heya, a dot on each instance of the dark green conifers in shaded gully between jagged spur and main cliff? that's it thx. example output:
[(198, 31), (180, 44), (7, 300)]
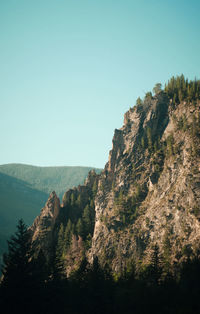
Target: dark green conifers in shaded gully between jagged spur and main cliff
[(79, 218)]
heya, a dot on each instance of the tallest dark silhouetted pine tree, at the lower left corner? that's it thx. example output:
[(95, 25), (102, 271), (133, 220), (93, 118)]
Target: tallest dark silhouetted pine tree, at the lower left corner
[(18, 283)]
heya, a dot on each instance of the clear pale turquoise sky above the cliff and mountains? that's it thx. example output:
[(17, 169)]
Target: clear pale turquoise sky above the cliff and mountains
[(71, 69)]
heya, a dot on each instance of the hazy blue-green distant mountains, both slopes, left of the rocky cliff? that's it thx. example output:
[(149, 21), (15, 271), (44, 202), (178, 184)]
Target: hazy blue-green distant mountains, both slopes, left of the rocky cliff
[(24, 190)]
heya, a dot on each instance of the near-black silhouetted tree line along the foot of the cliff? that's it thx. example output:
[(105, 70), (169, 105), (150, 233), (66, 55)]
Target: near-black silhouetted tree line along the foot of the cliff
[(29, 285)]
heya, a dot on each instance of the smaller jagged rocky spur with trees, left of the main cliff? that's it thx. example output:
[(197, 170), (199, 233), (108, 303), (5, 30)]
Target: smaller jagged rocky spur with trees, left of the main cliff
[(46, 227)]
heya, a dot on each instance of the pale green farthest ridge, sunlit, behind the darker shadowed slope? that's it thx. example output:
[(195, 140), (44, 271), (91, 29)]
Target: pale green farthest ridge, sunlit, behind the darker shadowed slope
[(48, 179)]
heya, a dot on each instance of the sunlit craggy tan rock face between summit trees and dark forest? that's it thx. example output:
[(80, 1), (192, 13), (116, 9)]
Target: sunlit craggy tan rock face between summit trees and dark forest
[(147, 195)]
